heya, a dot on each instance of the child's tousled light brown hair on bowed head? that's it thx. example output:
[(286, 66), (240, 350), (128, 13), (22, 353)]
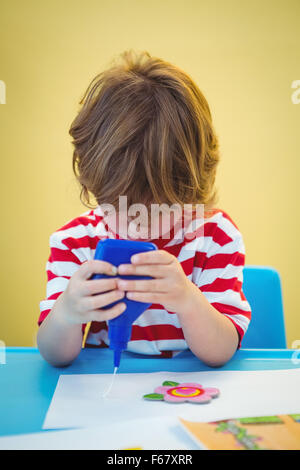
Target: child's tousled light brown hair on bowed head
[(145, 131)]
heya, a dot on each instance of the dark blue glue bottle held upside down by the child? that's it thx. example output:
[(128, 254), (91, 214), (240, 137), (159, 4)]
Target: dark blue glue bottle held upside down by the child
[(119, 252)]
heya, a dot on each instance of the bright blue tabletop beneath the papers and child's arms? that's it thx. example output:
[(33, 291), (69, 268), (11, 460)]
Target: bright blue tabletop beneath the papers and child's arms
[(27, 381)]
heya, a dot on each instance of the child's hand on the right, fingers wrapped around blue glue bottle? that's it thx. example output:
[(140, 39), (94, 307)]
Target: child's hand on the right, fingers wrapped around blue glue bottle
[(169, 287)]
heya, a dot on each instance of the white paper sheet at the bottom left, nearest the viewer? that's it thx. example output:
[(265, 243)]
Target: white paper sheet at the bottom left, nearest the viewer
[(131, 434)]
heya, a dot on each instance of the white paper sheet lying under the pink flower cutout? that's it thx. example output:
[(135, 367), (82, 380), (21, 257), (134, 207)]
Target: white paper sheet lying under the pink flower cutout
[(78, 402)]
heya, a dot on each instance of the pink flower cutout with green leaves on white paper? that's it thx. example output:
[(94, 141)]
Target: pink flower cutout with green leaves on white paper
[(174, 392)]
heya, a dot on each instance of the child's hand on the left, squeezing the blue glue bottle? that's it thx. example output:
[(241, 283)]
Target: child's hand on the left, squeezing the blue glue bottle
[(81, 305)]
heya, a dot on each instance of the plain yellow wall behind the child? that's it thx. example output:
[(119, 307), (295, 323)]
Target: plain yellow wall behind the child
[(243, 55)]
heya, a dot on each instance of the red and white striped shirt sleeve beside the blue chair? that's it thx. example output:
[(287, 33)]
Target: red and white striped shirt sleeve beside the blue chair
[(218, 272)]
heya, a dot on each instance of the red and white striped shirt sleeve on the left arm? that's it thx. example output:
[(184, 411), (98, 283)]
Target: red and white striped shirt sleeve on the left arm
[(60, 266)]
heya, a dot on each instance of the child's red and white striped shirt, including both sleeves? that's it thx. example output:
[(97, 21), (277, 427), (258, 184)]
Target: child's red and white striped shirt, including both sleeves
[(213, 261)]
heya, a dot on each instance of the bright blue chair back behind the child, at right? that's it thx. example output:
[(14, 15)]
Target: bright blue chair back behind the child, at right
[(262, 288)]
